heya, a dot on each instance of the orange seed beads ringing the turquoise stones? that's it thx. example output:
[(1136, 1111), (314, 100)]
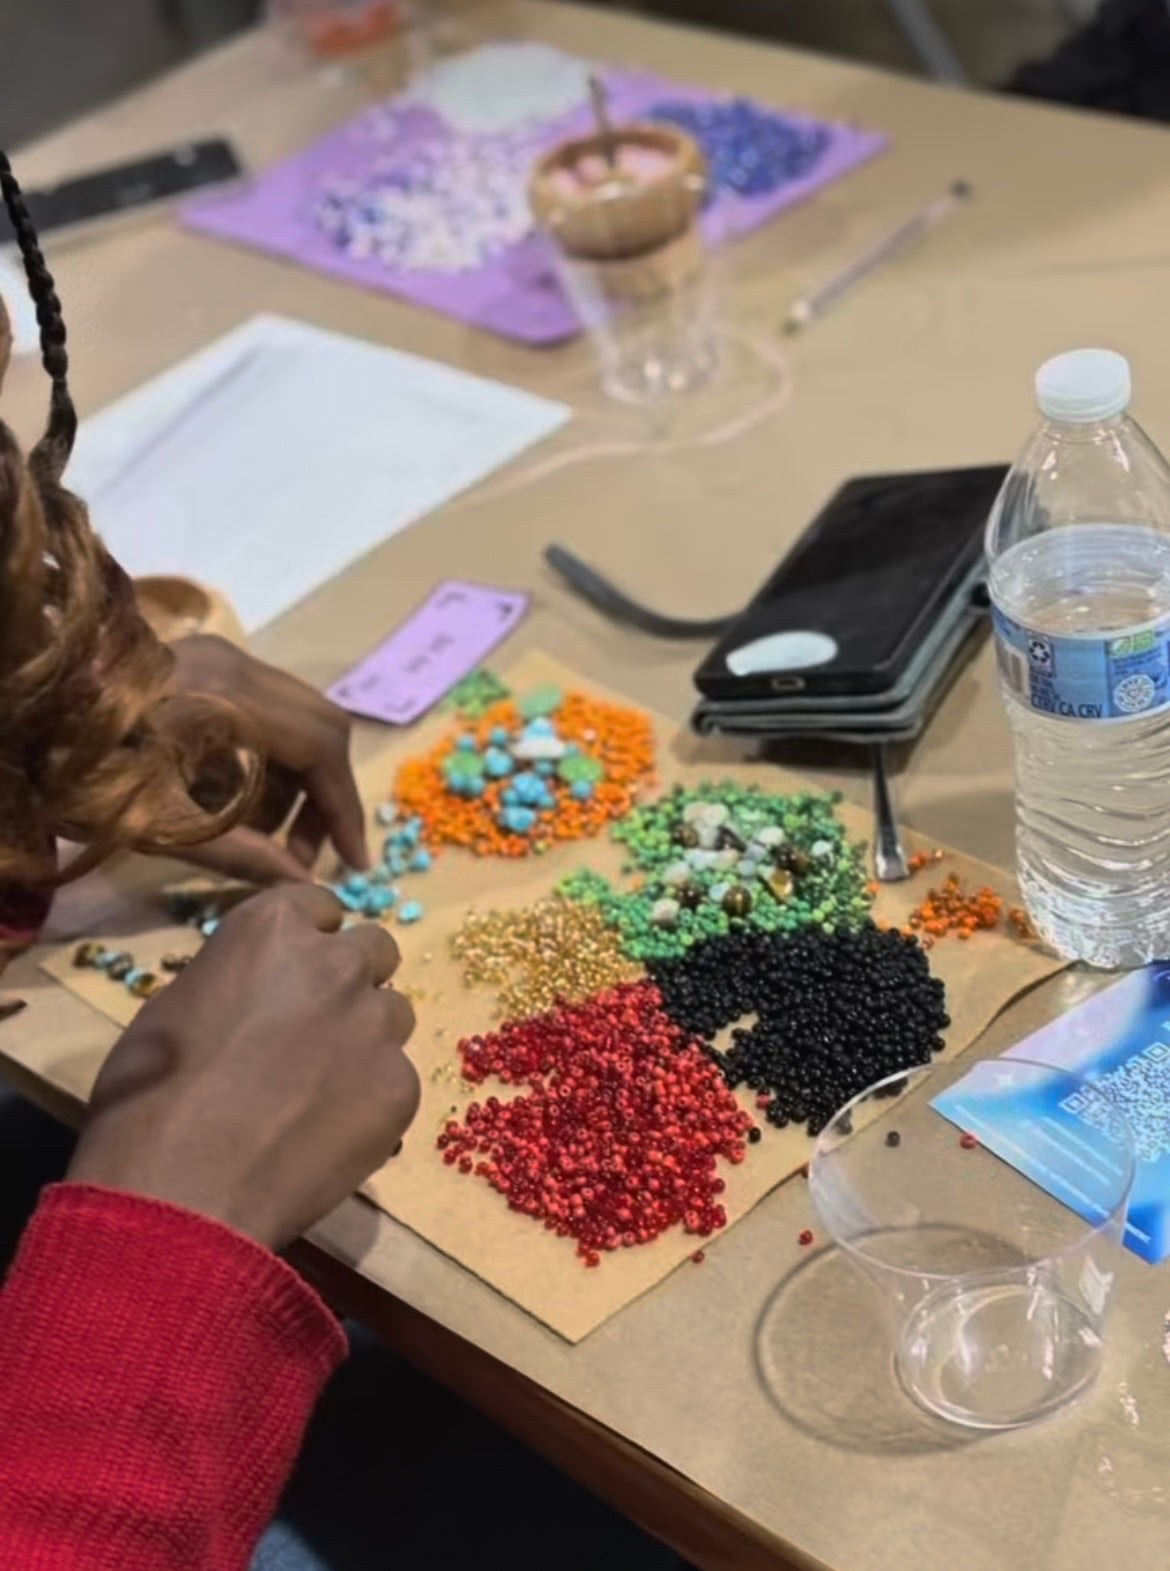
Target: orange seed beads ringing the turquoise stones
[(621, 739)]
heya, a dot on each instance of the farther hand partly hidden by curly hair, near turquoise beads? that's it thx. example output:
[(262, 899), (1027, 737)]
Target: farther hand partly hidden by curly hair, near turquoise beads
[(305, 742)]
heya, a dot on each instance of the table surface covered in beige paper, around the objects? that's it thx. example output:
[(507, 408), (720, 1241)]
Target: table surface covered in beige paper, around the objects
[(931, 364)]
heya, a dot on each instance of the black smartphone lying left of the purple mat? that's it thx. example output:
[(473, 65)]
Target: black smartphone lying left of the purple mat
[(130, 188)]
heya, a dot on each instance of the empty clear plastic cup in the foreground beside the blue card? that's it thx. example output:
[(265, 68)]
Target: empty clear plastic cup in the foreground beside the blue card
[(995, 1292)]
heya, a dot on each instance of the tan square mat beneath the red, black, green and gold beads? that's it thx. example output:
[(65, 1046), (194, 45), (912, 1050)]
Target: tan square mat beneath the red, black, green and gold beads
[(463, 1215)]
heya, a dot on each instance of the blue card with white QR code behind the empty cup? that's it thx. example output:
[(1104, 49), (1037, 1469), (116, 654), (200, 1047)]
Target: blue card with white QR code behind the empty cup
[(1119, 1042)]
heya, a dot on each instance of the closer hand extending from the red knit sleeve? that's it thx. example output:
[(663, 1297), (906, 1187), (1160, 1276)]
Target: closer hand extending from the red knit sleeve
[(268, 1082)]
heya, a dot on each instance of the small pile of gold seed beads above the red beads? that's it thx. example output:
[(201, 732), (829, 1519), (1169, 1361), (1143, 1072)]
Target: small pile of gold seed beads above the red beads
[(555, 951)]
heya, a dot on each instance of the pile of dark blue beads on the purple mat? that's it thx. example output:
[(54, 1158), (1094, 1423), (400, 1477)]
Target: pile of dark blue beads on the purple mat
[(750, 152)]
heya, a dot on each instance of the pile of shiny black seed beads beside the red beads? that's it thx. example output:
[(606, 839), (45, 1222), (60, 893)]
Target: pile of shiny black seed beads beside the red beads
[(816, 1017)]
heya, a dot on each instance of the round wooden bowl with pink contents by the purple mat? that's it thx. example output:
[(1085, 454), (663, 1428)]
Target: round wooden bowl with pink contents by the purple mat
[(598, 213)]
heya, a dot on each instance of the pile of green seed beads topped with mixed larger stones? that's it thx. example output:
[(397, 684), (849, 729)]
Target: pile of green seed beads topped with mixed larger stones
[(813, 876)]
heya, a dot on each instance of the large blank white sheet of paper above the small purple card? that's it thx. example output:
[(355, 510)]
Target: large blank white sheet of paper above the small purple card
[(282, 453)]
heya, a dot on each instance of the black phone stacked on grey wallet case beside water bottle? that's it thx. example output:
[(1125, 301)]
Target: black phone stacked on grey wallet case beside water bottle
[(861, 629)]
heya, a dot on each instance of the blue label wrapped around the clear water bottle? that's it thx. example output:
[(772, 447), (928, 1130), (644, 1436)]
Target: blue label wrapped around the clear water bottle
[(1086, 678)]
